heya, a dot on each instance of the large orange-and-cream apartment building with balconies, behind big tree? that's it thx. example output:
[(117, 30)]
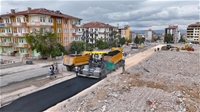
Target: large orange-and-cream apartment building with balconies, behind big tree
[(15, 25)]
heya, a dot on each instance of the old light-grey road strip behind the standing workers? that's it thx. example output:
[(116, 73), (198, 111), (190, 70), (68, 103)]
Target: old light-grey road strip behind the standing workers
[(21, 76)]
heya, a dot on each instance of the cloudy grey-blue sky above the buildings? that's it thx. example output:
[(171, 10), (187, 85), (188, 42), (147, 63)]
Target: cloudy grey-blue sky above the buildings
[(138, 14)]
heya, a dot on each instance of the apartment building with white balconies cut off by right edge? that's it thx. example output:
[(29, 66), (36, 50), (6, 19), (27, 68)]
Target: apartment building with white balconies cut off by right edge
[(193, 32)]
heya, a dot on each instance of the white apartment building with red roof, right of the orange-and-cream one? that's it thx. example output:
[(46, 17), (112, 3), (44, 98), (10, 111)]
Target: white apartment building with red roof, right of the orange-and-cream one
[(98, 30)]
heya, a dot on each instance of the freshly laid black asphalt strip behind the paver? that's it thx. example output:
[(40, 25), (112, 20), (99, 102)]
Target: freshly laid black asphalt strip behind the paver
[(46, 98)]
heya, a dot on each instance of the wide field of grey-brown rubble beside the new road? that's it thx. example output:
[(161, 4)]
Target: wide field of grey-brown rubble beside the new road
[(165, 81)]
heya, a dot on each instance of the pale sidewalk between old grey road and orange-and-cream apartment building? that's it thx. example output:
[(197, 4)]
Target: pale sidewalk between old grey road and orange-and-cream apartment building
[(36, 64)]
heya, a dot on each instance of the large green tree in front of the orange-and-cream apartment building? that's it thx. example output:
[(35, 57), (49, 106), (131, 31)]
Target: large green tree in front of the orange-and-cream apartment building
[(44, 42)]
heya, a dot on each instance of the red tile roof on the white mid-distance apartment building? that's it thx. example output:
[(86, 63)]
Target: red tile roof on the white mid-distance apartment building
[(97, 25)]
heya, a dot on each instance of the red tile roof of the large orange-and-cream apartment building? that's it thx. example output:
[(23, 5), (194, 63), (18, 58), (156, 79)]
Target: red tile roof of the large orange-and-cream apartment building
[(41, 11)]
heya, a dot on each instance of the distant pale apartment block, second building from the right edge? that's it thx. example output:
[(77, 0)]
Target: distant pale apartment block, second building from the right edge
[(173, 30)]
